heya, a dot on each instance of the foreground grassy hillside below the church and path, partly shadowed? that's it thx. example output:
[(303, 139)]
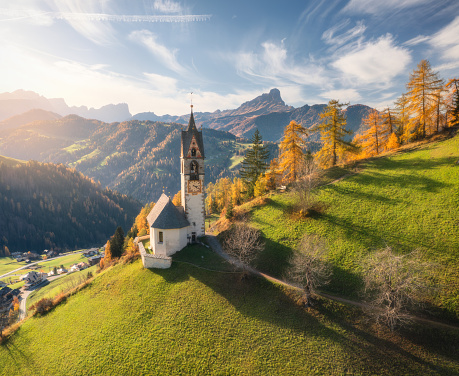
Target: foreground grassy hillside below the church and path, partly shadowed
[(187, 320)]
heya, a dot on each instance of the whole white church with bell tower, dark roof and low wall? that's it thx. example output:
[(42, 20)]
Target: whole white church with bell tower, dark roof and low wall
[(172, 227)]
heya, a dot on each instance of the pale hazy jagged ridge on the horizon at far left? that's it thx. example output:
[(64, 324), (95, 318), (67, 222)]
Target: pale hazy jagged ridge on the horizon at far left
[(21, 101)]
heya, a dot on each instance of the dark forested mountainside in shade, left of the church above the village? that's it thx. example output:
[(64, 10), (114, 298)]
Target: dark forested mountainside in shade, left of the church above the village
[(48, 206)]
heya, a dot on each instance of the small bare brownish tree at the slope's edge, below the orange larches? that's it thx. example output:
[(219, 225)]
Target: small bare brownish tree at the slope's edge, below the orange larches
[(309, 178)]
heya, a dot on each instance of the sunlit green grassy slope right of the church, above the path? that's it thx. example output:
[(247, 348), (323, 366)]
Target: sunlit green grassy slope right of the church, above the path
[(407, 200)]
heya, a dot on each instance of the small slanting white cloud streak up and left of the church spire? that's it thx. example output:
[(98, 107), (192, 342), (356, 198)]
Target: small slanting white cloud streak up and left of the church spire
[(162, 53)]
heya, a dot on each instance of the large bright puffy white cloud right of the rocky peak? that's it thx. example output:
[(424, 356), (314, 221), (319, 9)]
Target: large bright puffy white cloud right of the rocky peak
[(374, 62)]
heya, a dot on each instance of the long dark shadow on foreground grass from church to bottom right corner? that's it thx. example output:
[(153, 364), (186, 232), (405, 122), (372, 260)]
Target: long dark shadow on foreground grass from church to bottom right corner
[(259, 300)]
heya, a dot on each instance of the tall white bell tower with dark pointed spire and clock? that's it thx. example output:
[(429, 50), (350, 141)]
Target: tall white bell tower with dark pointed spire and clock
[(192, 178)]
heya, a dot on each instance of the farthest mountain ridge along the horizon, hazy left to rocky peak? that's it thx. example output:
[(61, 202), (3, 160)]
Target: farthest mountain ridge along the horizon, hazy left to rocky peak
[(268, 113)]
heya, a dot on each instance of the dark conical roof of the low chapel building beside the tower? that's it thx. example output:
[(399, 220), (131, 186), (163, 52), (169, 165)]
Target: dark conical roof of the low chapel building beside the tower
[(165, 215)]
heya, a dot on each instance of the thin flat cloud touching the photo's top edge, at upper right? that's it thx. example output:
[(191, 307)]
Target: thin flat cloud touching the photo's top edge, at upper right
[(380, 6)]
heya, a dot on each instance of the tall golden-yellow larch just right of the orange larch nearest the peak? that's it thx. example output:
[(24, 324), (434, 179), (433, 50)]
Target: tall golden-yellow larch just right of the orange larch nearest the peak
[(332, 133)]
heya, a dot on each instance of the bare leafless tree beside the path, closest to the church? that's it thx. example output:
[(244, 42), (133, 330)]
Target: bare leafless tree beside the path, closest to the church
[(243, 243)]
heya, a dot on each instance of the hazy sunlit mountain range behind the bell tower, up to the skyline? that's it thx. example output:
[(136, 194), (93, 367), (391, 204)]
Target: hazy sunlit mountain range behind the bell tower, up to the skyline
[(140, 156)]
